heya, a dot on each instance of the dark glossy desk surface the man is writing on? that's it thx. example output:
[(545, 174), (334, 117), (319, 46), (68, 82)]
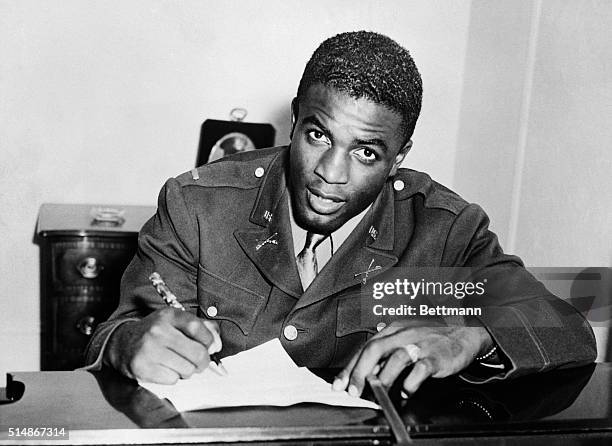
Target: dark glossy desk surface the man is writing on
[(104, 408)]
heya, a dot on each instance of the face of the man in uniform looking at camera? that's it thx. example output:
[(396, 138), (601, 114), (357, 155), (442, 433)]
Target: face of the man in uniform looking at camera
[(342, 152)]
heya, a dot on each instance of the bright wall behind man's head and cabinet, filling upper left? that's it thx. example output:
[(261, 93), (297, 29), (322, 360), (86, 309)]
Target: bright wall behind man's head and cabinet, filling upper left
[(101, 102)]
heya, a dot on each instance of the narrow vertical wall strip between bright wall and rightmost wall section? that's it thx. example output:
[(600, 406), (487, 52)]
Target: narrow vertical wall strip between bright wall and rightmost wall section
[(496, 71)]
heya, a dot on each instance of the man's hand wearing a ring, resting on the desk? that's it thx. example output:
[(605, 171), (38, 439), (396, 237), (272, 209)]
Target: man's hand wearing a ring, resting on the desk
[(440, 352)]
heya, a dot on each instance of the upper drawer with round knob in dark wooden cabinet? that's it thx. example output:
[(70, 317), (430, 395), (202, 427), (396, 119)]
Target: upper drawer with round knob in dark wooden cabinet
[(90, 263)]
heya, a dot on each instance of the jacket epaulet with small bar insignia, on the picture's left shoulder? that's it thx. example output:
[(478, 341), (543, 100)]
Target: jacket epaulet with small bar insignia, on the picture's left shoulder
[(243, 171)]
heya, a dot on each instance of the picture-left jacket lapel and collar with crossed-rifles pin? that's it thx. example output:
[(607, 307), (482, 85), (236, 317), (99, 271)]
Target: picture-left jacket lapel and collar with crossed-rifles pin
[(270, 245)]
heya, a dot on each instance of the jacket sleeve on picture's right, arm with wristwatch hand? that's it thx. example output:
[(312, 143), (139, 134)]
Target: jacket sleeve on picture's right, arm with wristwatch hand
[(534, 329)]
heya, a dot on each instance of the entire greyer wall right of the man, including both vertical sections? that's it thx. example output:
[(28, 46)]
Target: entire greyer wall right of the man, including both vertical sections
[(534, 138)]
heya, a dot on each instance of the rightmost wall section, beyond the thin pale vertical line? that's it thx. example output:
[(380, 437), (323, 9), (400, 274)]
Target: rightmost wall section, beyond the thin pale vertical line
[(564, 217)]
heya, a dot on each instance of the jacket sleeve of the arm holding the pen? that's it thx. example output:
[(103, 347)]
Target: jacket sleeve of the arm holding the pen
[(167, 244)]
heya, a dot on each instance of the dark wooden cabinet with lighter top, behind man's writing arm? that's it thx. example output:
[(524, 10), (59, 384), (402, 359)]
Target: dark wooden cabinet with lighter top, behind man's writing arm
[(84, 251)]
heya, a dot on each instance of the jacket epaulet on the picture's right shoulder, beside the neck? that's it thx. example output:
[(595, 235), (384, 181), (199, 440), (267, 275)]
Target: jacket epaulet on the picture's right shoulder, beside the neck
[(408, 182)]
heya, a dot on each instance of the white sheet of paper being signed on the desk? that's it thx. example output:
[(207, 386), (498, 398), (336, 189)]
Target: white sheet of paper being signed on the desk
[(262, 376)]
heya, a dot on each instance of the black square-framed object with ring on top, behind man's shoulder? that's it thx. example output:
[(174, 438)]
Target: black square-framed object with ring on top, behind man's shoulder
[(222, 138)]
